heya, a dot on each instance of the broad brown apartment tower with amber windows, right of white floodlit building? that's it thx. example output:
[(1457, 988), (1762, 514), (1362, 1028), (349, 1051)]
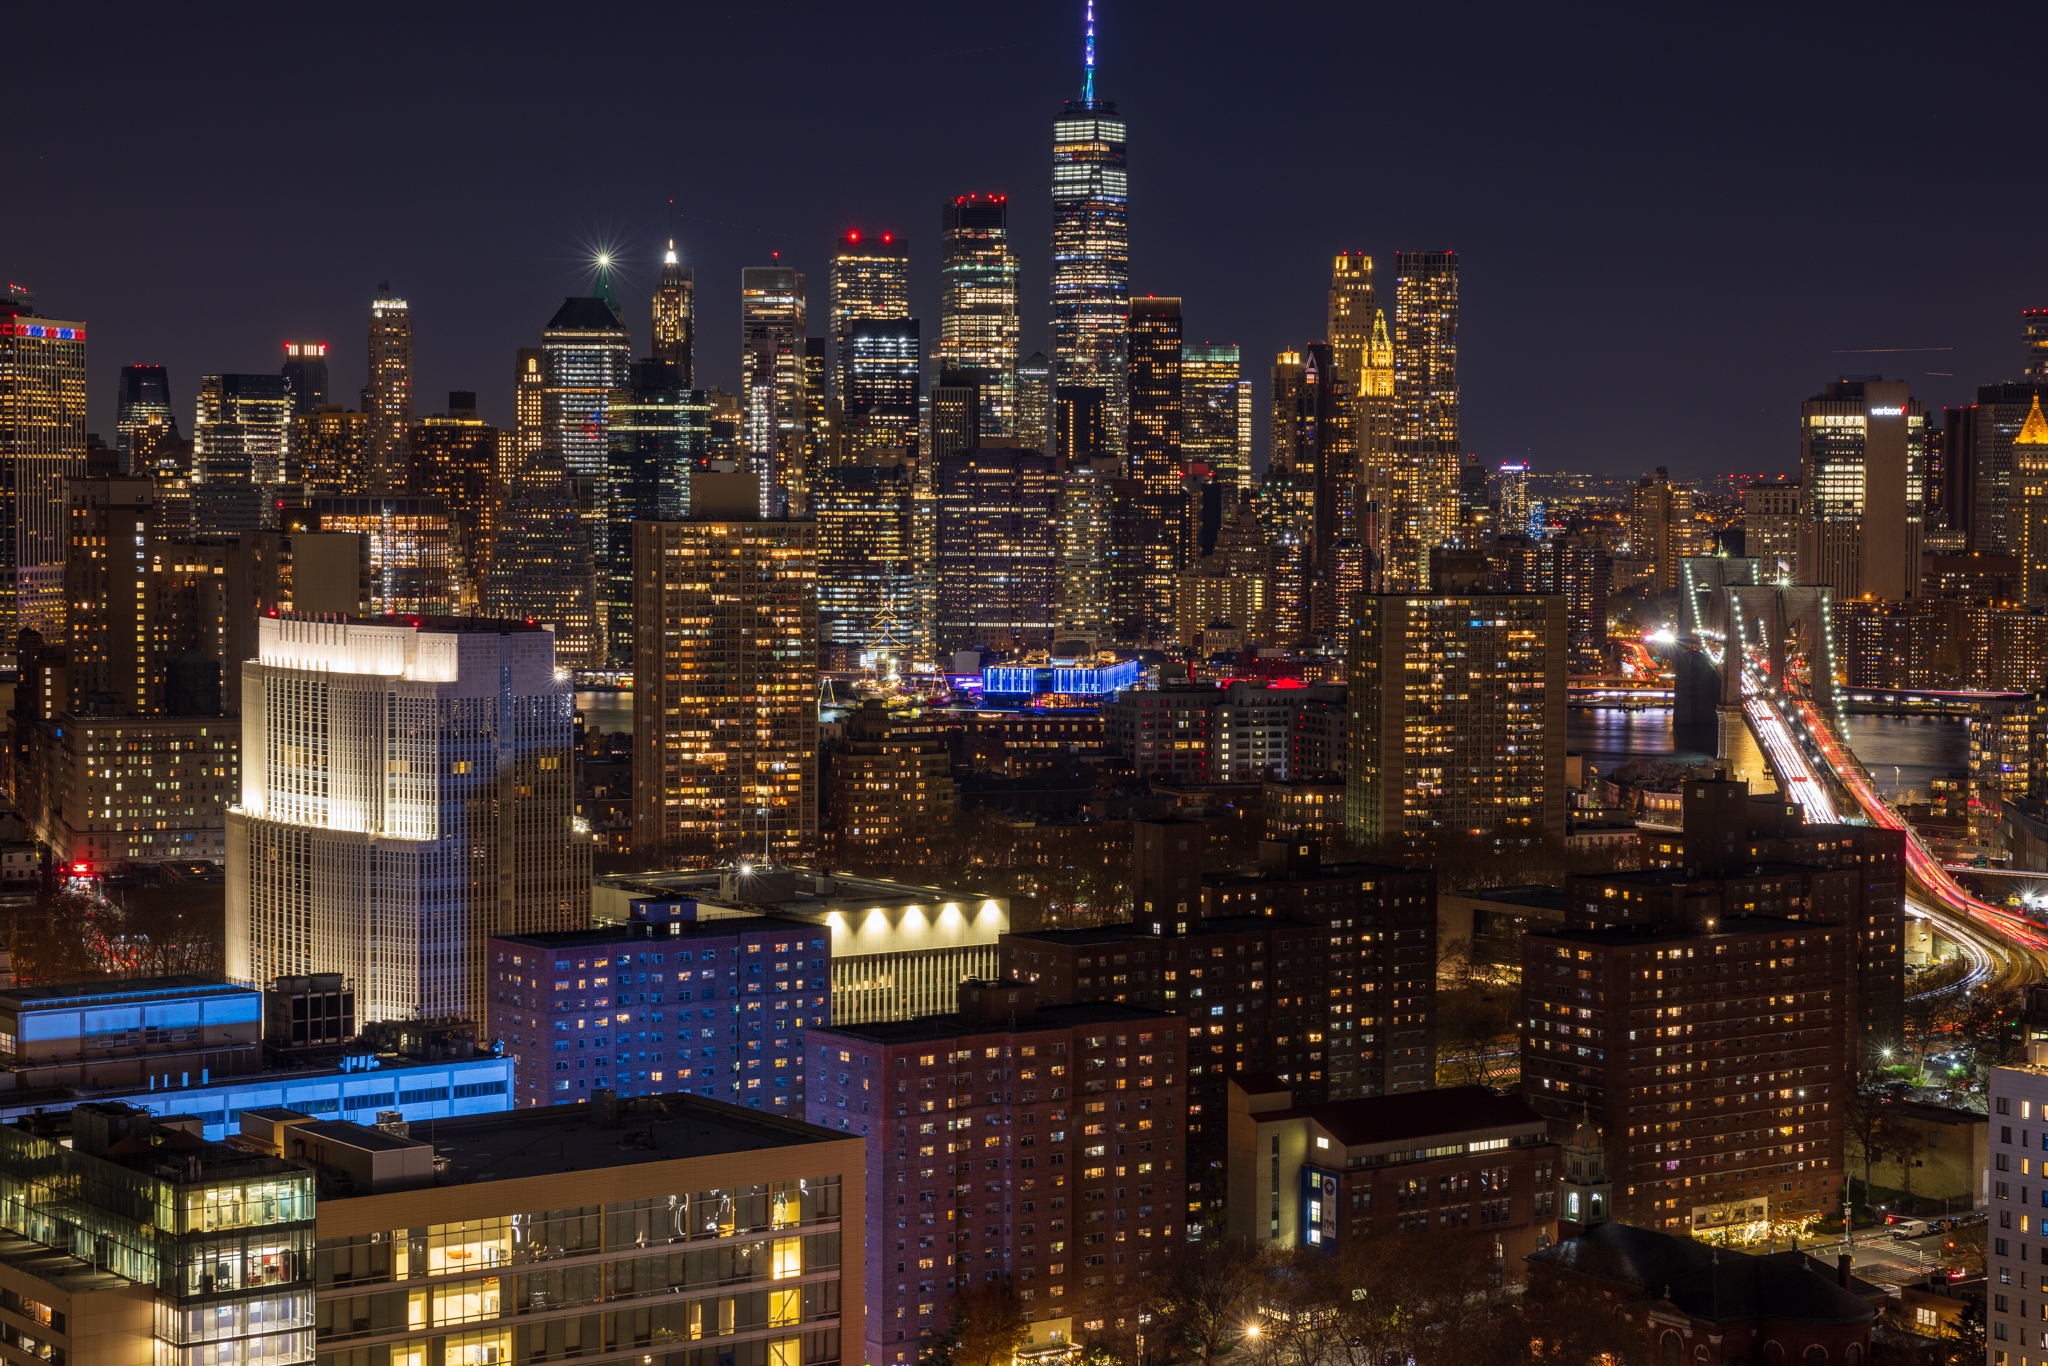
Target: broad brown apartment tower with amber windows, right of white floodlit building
[(726, 712)]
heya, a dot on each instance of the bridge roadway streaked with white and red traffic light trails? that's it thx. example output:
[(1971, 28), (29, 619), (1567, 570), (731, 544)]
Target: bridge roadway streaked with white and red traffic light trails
[(1793, 734)]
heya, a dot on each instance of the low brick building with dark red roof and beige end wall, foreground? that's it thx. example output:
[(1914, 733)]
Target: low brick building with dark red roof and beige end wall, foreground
[(1431, 1162)]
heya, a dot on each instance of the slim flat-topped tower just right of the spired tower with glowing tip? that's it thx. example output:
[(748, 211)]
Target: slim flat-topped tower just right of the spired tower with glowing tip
[(773, 331)]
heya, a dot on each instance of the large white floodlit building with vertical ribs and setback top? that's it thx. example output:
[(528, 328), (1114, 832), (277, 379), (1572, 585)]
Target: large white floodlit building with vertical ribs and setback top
[(407, 794)]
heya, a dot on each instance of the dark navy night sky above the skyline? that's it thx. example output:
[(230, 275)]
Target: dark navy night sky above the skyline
[(1674, 222)]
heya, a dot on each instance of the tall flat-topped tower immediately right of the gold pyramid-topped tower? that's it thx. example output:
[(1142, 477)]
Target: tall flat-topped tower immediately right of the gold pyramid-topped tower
[(1426, 390)]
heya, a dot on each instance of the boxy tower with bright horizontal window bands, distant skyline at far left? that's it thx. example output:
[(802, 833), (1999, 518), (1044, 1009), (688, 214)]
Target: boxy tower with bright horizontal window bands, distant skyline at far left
[(241, 452)]
